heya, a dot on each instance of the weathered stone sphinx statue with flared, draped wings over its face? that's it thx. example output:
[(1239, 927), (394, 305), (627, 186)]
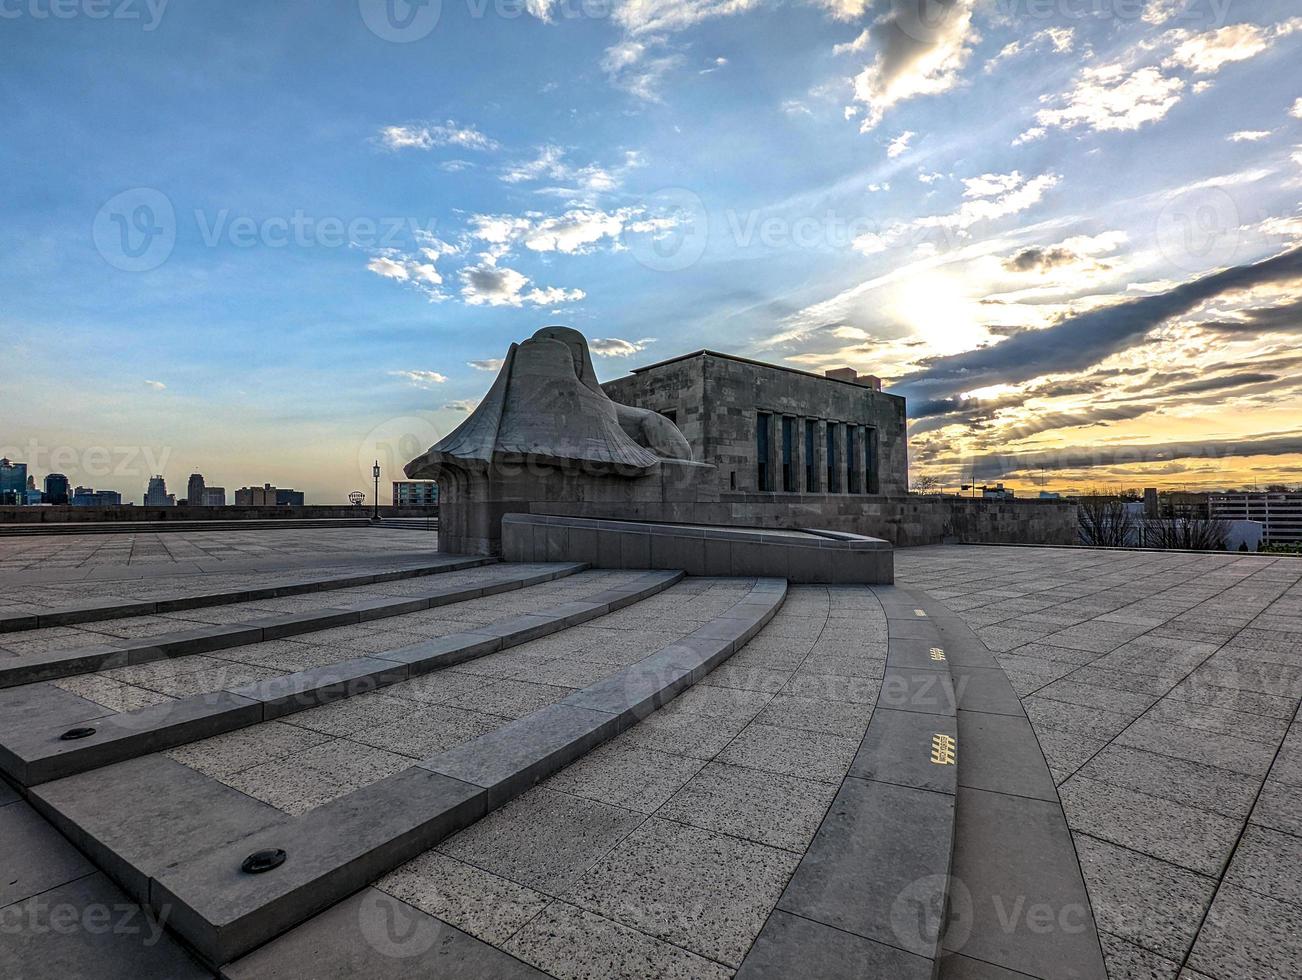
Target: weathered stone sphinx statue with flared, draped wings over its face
[(547, 434)]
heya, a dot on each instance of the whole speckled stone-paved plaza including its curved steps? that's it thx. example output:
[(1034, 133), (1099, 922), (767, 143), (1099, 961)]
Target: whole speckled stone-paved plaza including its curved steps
[(497, 770)]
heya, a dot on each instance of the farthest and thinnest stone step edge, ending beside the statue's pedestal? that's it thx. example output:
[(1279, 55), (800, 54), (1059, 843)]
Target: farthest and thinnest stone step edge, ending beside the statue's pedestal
[(93, 611)]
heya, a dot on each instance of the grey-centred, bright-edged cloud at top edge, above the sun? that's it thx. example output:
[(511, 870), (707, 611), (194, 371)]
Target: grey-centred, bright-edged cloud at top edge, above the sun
[(920, 49)]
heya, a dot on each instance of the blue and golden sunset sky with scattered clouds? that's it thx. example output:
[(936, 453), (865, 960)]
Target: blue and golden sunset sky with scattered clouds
[(274, 243)]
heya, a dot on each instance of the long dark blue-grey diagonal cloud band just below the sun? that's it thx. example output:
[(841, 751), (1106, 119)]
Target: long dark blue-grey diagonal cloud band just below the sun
[(1089, 338)]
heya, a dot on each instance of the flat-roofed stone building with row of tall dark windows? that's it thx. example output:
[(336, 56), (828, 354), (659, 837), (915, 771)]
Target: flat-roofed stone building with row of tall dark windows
[(779, 430)]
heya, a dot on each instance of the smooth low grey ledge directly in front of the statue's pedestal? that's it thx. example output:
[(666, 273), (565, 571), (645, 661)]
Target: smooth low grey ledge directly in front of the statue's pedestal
[(796, 556)]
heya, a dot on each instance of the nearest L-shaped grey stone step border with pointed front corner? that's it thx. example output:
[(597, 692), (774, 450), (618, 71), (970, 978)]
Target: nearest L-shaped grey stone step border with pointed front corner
[(342, 847)]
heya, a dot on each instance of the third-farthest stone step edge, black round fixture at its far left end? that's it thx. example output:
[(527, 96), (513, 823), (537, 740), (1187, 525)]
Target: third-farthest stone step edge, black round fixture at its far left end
[(36, 754)]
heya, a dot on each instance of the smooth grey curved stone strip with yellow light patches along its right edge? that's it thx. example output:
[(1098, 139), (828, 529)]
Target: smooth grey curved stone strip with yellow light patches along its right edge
[(869, 897)]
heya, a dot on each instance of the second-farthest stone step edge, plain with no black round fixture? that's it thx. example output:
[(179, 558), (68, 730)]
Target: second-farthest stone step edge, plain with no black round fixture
[(48, 667)]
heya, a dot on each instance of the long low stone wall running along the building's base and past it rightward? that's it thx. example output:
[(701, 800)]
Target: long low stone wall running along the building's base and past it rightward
[(911, 520)]
